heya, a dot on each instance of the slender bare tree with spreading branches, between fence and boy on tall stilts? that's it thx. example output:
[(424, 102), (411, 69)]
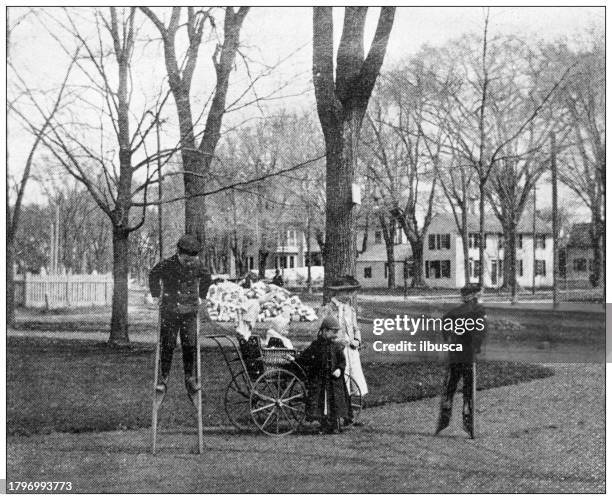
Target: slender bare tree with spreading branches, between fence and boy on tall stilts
[(109, 170)]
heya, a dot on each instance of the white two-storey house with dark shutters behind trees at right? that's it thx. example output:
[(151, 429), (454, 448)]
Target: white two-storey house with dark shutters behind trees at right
[(443, 255)]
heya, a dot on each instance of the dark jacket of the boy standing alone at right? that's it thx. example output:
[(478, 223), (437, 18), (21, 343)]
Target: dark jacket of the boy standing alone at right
[(471, 341)]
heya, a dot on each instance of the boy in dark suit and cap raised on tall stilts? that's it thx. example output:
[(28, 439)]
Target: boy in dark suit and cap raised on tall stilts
[(180, 275)]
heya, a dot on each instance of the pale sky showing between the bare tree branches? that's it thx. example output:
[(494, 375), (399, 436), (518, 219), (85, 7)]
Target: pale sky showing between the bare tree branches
[(281, 37)]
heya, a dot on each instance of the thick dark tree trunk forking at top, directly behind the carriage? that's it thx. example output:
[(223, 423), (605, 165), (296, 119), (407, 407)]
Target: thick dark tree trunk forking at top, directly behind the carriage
[(341, 105)]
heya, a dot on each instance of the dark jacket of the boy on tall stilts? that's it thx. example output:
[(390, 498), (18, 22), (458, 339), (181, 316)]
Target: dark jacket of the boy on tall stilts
[(181, 291)]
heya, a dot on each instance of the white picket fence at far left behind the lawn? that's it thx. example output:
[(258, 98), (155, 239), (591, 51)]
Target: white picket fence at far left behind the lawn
[(70, 290)]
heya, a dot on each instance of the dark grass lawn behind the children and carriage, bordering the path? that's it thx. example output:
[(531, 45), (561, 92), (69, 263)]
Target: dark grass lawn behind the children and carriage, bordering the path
[(81, 386)]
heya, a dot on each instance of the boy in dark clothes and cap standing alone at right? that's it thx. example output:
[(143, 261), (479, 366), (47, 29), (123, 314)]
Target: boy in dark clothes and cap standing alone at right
[(461, 364)]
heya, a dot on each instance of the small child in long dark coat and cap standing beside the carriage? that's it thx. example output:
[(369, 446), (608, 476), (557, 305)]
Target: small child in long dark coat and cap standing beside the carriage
[(324, 364)]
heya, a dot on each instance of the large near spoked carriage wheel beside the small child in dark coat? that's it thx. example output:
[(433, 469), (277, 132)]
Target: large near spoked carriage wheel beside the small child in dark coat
[(278, 402)]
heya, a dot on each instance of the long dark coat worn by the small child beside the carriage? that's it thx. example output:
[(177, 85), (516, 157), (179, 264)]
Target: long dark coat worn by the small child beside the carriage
[(327, 396)]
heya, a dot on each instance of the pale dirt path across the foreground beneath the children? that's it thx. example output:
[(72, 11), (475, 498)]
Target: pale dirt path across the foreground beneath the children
[(543, 436)]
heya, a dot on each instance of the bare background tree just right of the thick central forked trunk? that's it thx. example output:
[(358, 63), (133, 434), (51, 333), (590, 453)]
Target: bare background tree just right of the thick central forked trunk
[(406, 158)]
